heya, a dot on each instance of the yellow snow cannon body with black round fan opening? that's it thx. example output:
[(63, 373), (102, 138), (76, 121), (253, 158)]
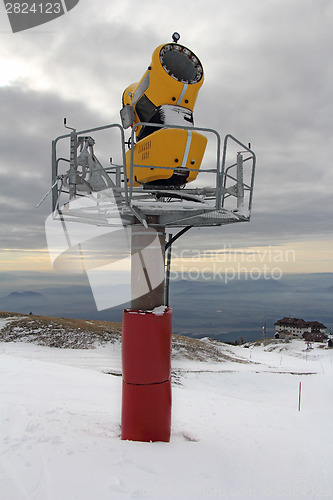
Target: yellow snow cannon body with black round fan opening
[(165, 95)]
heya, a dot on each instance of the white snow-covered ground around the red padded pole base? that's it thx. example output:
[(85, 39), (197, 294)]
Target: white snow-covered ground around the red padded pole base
[(236, 429)]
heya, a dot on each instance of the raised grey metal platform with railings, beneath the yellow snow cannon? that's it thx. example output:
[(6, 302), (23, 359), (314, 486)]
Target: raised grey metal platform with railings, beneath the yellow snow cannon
[(85, 190)]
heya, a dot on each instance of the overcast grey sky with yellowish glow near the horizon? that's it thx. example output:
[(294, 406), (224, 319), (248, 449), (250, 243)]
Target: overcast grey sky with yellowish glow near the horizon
[(268, 81)]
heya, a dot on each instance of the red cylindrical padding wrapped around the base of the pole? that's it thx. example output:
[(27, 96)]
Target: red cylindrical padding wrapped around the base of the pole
[(146, 398)]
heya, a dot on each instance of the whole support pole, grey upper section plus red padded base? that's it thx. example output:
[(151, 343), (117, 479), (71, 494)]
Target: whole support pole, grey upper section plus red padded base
[(146, 343)]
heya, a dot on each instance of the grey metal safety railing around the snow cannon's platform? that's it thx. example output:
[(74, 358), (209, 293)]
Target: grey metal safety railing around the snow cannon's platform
[(124, 186)]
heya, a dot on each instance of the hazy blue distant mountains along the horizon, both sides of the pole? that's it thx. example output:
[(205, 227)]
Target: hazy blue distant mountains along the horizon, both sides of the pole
[(226, 311)]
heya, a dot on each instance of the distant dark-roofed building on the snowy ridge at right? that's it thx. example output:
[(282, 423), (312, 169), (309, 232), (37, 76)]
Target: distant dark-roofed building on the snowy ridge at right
[(296, 328)]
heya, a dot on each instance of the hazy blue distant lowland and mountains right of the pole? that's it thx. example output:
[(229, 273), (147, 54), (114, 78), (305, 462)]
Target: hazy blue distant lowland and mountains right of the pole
[(241, 307)]
